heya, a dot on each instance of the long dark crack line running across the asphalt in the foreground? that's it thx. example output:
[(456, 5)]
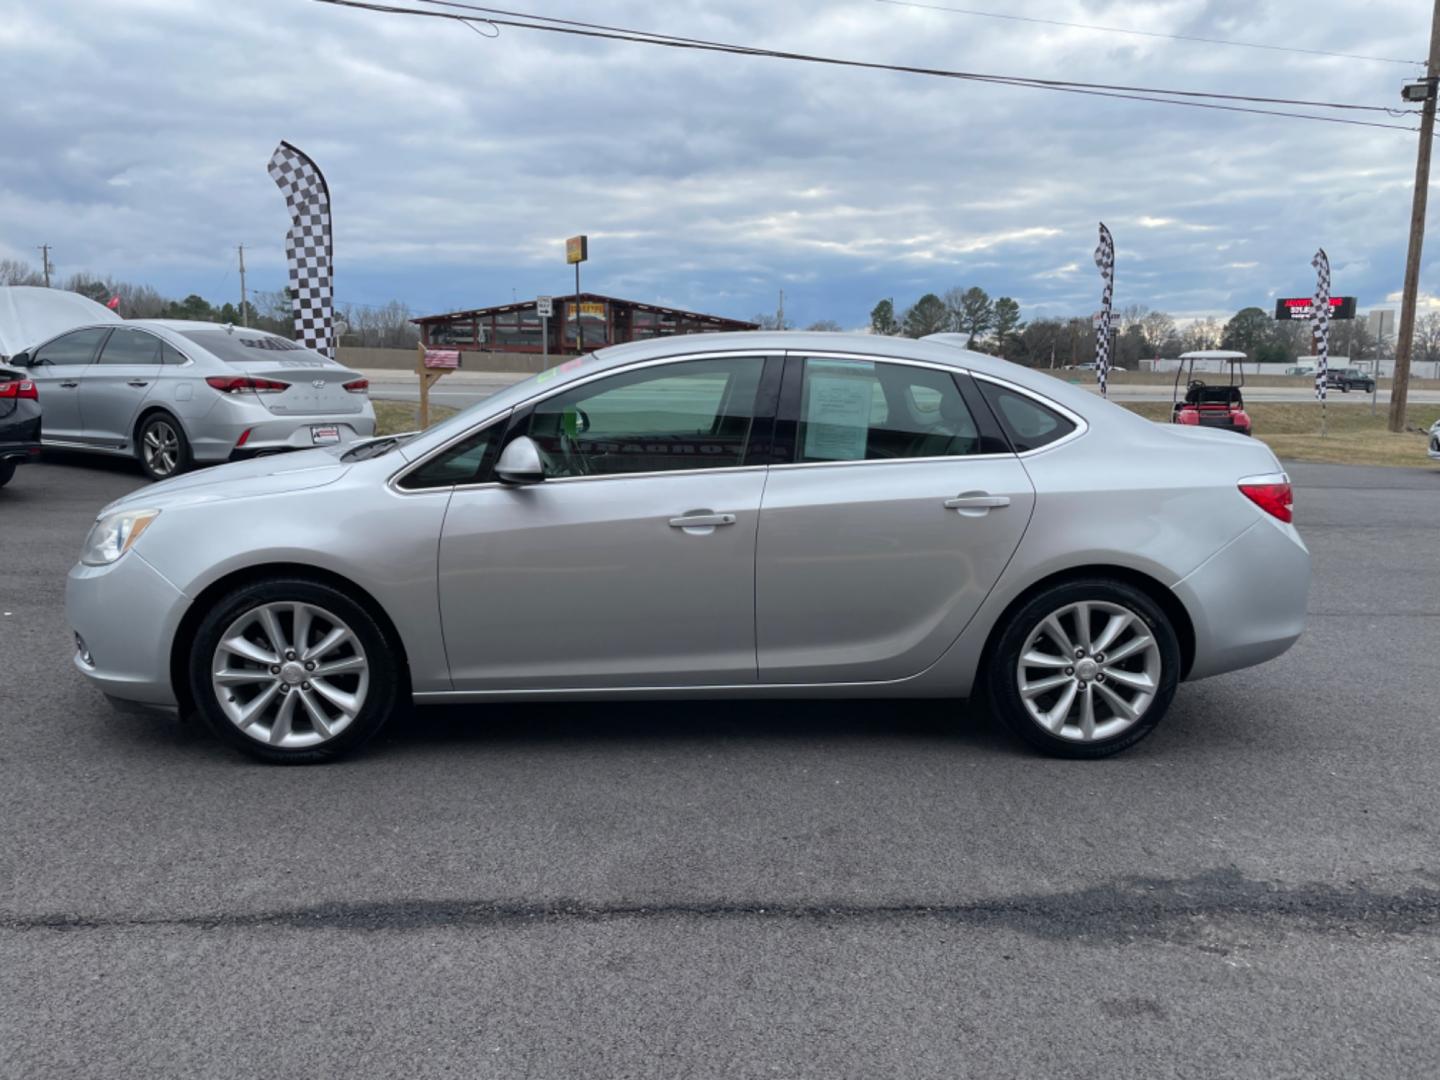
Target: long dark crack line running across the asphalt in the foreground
[(1131, 909)]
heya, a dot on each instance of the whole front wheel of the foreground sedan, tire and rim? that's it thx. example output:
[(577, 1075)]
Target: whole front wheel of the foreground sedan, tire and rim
[(294, 672)]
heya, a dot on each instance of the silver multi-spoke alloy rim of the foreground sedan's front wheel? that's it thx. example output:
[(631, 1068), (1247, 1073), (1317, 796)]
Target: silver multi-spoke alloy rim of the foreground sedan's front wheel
[(290, 675)]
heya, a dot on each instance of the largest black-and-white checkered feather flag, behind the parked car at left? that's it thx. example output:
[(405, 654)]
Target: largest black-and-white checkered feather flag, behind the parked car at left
[(307, 247)]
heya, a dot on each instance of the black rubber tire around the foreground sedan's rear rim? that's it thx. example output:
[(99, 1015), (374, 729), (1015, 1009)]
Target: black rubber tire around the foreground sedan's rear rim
[(1003, 675)]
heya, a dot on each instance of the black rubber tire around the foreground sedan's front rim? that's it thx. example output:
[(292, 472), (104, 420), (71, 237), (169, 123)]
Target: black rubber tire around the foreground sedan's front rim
[(387, 692)]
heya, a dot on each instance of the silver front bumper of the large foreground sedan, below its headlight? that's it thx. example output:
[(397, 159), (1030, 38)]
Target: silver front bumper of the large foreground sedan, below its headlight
[(127, 616)]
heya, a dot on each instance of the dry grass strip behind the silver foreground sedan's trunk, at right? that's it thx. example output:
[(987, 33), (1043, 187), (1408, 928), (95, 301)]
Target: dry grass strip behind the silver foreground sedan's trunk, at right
[(1292, 430)]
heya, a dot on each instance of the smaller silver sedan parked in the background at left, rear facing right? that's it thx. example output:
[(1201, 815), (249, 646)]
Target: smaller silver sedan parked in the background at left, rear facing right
[(175, 394)]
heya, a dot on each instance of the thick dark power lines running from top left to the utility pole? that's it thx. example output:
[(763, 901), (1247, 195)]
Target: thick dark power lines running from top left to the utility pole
[(572, 28)]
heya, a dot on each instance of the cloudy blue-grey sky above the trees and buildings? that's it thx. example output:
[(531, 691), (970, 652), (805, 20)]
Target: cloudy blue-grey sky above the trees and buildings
[(139, 133)]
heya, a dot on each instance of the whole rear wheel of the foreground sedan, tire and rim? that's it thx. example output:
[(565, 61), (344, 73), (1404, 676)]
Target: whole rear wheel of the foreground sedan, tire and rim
[(1085, 669)]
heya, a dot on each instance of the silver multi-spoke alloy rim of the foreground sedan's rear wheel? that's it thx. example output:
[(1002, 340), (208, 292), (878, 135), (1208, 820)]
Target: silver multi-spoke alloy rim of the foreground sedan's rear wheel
[(1089, 672)]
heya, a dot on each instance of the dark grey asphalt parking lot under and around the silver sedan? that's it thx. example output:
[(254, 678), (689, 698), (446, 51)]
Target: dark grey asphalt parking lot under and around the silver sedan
[(800, 891)]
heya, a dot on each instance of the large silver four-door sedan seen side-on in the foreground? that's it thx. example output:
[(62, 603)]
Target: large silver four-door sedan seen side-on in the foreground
[(724, 516)]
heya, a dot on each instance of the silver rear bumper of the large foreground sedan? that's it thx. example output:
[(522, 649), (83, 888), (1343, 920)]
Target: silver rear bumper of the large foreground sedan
[(1248, 601)]
